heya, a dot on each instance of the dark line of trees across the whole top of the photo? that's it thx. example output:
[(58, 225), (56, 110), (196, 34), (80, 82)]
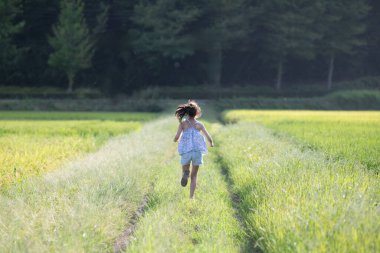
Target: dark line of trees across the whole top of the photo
[(121, 45)]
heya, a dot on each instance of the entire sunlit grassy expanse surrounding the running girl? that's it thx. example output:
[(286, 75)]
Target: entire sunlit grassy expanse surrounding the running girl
[(262, 188)]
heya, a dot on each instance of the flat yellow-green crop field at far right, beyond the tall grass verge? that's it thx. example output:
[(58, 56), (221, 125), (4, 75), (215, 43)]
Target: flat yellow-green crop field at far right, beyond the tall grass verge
[(350, 135)]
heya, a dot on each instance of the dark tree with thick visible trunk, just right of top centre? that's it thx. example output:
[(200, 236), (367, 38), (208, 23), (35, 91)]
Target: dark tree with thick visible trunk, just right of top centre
[(222, 25)]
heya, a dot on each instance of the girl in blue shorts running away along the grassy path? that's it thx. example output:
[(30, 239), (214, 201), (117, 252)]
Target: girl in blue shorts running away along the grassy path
[(192, 145)]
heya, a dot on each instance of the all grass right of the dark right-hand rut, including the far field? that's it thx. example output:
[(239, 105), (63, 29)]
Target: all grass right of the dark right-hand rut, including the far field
[(296, 199)]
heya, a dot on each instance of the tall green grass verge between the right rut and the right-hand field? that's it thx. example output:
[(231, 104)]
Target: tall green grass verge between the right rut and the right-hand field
[(297, 200)]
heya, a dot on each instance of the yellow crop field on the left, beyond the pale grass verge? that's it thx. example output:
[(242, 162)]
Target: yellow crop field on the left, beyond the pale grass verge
[(34, 143)]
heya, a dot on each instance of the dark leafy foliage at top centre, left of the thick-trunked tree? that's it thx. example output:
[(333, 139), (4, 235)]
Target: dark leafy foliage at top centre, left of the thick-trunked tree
[(163, 28)]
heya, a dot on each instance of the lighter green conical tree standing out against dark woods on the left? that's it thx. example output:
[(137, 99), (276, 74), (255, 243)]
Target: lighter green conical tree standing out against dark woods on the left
[(72, 42)]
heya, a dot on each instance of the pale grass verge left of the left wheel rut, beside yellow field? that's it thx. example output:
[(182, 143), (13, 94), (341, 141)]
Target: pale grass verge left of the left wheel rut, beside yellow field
[(86, 205)]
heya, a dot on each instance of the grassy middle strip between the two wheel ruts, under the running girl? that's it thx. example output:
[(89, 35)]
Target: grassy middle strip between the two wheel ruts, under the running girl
[(174, 223)]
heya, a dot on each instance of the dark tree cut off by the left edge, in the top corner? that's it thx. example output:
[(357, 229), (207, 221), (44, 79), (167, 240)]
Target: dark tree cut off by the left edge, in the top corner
[(9, 27)]
